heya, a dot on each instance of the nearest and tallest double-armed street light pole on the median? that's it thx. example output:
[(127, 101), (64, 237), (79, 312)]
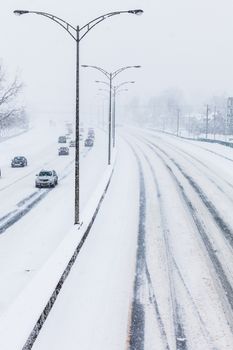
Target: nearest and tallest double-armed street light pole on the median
[(77, 33)]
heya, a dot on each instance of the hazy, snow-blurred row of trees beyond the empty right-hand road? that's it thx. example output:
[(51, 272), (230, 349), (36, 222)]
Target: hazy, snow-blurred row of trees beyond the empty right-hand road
[(170, 112)]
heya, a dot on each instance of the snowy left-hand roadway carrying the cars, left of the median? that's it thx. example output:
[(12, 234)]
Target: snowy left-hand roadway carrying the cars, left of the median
[(27, 242)]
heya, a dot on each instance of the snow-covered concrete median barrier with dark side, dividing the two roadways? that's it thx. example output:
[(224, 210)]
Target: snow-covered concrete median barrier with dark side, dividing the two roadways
[(21, 324)]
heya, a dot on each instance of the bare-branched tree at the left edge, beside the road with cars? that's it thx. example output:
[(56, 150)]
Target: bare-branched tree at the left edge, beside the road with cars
[(12, 114)]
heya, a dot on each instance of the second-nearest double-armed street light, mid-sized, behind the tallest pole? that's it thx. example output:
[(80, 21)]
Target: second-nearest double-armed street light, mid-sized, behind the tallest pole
[(110, 77)]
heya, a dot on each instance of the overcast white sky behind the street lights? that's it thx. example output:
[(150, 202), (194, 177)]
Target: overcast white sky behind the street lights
[(186, 44)]
